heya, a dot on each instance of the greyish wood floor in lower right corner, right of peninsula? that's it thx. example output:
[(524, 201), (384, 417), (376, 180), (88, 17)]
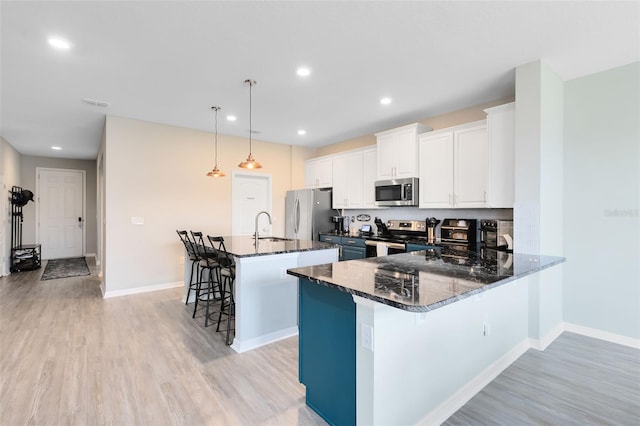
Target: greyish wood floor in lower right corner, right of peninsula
[(577, 380)]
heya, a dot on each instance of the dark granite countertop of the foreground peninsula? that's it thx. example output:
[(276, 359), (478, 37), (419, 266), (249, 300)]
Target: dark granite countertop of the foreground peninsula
[(425, 280)]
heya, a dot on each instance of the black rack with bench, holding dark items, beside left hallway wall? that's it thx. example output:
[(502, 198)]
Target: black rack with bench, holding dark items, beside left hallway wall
[(23, 257)]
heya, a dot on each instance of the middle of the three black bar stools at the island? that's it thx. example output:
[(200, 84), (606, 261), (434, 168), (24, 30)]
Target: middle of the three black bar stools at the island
[(208, 290)]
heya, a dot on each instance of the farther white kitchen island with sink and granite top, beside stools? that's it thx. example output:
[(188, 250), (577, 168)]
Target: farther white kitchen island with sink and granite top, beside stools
[(266, 297)]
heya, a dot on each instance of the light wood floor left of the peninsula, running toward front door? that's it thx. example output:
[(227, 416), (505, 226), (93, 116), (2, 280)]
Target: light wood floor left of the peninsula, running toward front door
[(69, 357)]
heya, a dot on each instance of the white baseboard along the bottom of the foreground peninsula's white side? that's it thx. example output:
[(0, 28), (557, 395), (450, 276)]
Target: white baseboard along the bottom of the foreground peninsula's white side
[(442, 412)]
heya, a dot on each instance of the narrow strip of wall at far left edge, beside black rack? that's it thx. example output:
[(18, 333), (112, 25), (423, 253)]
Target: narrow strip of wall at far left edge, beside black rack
[(10, 174)]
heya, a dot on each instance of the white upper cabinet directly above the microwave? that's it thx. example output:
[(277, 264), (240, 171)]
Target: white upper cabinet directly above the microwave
[(397, 152)]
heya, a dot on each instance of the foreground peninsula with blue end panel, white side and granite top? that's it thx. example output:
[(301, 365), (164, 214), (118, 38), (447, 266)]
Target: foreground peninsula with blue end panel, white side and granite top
[(403, 339)]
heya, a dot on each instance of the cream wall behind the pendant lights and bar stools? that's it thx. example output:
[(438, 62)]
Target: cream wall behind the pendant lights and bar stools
[(158, 172)]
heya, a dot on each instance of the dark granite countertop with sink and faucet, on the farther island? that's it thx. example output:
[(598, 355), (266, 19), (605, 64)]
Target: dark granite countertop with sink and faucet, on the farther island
[(244, 246)]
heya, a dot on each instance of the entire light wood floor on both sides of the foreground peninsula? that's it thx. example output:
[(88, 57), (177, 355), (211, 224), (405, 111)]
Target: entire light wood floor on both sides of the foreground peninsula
[(69, 357)]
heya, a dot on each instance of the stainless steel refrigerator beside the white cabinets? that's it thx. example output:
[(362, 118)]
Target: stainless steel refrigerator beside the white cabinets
[(307, 212)]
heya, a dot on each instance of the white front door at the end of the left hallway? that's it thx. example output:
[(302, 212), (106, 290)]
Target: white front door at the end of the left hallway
[(61, 213)]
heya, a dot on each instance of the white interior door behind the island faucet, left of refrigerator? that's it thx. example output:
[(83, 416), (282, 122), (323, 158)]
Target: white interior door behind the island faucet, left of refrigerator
[(251, 195)]
